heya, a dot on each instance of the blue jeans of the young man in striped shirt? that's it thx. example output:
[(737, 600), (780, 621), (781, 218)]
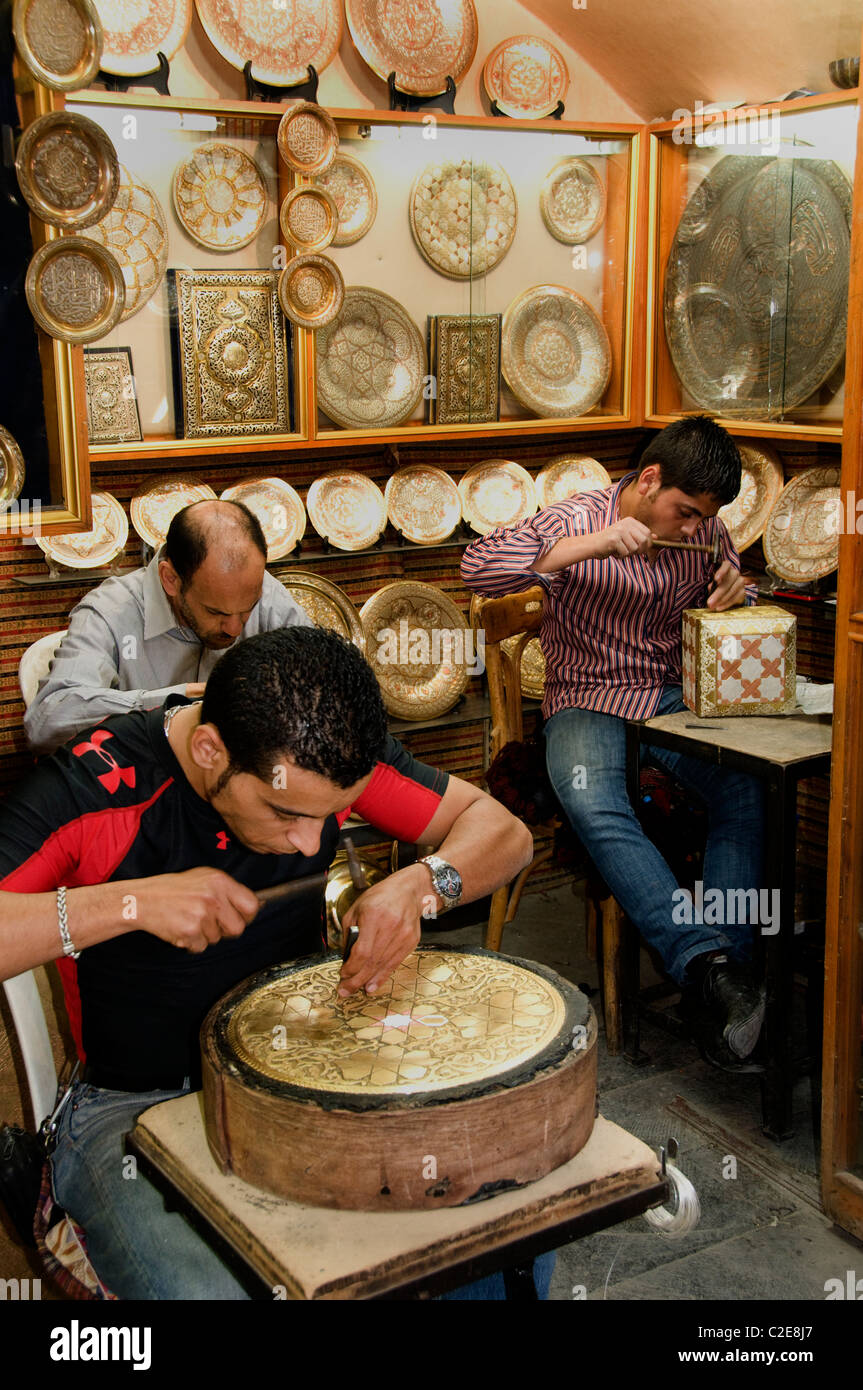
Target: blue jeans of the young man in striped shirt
[(586, 755)]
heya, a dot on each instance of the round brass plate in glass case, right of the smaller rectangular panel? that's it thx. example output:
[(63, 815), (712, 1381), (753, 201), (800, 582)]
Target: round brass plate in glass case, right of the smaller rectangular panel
[(555, 352)]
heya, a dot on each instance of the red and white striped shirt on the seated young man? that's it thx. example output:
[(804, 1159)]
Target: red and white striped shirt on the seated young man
[(611, 629)]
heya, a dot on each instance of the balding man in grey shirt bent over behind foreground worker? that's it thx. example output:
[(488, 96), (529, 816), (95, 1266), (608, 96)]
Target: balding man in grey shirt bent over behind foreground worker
[(161, 630)]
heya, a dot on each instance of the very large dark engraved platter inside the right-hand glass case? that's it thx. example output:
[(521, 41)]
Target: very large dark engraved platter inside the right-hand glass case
[(757, 284)]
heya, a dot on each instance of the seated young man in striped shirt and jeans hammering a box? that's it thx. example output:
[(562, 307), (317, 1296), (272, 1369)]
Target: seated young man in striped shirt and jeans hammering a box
[(612, 643)]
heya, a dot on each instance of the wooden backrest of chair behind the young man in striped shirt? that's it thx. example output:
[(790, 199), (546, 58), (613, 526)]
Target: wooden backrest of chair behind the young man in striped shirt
[(519, 616)]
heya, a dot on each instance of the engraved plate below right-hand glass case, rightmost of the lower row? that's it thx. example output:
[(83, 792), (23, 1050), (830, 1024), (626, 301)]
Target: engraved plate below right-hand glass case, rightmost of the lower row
[(803, 534)]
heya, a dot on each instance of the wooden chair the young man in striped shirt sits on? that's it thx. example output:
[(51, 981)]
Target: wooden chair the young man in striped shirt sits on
[(520, 616)]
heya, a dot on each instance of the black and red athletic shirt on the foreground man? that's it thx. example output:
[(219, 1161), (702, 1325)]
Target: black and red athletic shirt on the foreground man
[(115, 804)]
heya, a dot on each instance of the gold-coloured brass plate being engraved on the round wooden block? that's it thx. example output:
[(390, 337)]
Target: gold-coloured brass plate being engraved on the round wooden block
[(444, 1020)]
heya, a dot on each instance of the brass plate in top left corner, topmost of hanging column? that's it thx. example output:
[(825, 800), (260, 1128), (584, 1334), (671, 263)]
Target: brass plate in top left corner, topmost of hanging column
[(60, 41)]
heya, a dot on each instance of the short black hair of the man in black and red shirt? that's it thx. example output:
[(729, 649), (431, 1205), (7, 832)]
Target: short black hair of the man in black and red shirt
[(298, 693)]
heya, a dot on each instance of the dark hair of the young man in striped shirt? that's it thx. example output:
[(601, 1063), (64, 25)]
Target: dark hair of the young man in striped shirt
[(697, 457)]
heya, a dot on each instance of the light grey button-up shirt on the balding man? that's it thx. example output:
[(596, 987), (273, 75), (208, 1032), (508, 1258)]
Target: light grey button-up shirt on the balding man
[(124, 650)]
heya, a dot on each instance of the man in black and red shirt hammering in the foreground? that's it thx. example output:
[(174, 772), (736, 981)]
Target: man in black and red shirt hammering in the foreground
[(142, 844)]
